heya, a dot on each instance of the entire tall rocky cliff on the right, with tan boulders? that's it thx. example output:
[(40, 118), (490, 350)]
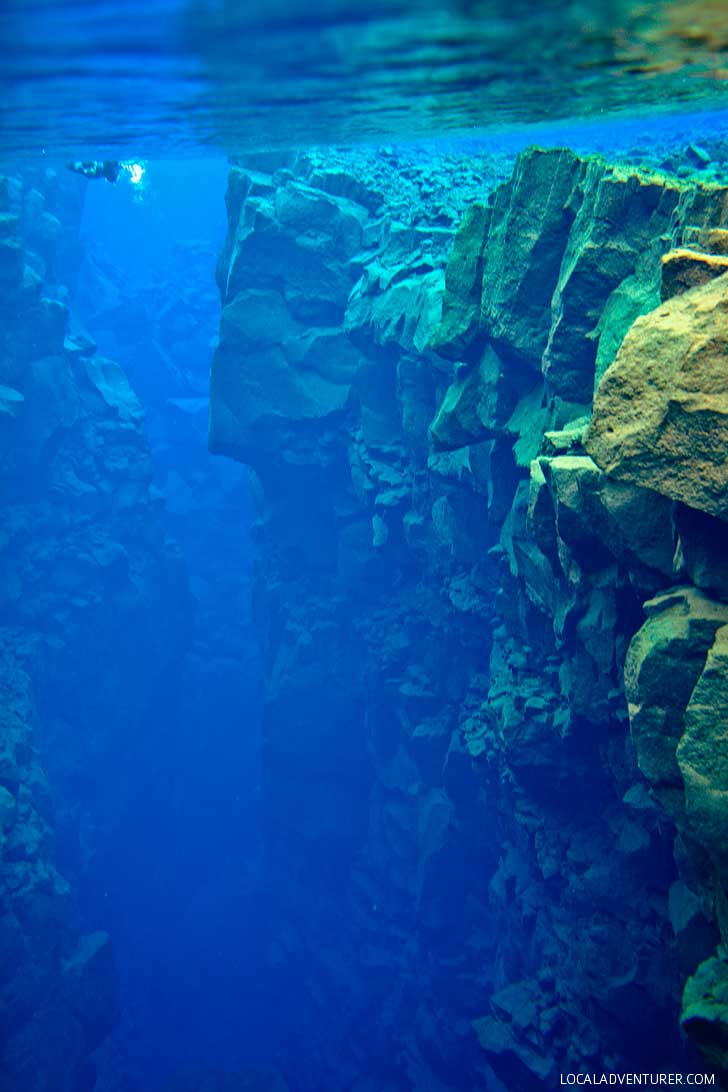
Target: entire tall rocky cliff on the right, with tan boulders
[(493, 798)]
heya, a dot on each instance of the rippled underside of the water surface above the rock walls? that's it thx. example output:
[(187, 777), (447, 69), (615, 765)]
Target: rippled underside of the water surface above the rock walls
[(171, 77)]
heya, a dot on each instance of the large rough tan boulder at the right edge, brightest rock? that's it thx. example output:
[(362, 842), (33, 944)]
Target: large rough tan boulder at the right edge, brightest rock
[(661, 413)]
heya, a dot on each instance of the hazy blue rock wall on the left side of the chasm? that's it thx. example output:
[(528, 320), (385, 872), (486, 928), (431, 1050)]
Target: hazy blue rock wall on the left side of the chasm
[(94, 610)]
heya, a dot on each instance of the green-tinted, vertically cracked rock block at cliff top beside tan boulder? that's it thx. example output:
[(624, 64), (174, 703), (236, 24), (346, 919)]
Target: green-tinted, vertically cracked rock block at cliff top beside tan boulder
[(556, 278)]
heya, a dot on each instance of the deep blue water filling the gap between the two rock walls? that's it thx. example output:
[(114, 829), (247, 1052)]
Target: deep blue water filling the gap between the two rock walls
[(177, 887)]
